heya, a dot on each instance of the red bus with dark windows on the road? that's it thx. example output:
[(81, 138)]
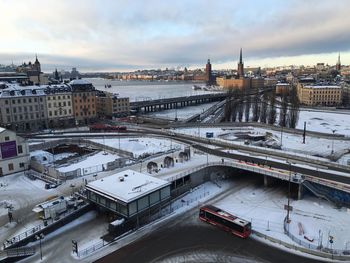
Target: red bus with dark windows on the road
[(224, 220)]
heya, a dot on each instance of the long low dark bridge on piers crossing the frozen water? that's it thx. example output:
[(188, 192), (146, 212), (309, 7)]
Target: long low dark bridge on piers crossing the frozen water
[(173, 103)]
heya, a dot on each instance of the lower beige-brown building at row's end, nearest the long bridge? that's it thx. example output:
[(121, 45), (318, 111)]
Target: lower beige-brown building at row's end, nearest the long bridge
[(111, 106)]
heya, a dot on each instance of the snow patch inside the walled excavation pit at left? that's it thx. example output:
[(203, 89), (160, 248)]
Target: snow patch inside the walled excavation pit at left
[(97, 159)]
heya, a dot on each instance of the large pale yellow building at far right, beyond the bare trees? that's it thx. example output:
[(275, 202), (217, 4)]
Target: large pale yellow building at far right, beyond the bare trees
[(314, 95)]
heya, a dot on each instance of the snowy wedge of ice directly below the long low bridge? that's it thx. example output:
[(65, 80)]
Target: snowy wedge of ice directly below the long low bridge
[(182, 113)]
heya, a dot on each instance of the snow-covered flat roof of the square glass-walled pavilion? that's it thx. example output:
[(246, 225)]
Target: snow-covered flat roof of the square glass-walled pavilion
[(127, 186)]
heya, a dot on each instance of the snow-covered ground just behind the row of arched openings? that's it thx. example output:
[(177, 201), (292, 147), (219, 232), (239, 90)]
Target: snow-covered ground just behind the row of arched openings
[(140, 146)]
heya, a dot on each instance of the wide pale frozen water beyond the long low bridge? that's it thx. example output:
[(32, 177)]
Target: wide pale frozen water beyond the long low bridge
[(147, 90)]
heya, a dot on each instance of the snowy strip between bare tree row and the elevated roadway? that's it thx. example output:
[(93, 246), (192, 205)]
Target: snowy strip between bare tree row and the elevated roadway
[(290, 142)]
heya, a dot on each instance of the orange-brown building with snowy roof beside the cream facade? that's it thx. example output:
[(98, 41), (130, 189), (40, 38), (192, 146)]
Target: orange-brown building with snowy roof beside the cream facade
[(84, 101)]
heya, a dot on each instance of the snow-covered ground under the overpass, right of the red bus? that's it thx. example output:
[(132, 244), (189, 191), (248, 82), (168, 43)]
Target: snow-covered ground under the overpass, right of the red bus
[(264, 207)]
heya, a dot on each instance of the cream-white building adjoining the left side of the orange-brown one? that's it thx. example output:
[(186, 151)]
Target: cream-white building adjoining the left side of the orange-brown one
[(59, 105)]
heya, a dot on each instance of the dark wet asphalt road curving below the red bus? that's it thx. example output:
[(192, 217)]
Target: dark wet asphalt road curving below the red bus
[(189, 240)]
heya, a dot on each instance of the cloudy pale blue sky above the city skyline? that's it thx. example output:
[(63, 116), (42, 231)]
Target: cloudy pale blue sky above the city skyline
[(123, 35)]
